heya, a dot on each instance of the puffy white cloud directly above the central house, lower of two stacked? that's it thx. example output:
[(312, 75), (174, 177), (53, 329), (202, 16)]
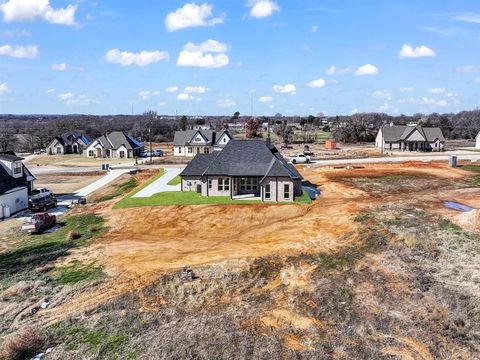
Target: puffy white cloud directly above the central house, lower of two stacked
[(209, 54)]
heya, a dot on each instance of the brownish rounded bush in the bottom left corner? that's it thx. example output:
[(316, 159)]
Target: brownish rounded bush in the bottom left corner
[(24, 344)]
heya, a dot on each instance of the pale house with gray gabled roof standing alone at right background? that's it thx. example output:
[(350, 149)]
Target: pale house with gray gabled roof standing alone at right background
[(410, 138)]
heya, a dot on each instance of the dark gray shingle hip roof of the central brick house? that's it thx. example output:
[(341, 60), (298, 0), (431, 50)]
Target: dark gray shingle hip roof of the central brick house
[(242, 158)]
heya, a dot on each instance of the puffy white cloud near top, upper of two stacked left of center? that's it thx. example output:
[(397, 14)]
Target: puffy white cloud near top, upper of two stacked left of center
[(191, 15)]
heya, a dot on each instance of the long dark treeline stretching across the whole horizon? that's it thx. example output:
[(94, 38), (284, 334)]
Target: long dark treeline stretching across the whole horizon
[(31, 132)]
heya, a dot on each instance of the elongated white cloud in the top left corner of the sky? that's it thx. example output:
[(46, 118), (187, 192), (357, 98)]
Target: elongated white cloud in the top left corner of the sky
[(30, 10)]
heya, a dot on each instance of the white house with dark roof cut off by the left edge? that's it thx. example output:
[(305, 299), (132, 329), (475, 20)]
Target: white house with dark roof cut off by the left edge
[(16, 183)]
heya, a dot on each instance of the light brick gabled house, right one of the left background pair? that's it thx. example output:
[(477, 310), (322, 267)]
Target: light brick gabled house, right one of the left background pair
[(116, 145)]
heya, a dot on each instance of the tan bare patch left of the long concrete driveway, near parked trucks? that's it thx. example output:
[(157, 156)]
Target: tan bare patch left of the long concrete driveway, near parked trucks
[(66, 183)]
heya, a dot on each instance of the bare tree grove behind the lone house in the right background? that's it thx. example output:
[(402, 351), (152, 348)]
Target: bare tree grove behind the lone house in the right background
[(364, 127)]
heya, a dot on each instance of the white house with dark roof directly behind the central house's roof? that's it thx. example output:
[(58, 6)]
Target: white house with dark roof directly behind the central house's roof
[(192, 142)]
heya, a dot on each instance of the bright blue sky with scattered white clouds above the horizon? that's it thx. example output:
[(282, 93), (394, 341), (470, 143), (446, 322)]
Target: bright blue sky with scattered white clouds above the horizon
[(216, 57)]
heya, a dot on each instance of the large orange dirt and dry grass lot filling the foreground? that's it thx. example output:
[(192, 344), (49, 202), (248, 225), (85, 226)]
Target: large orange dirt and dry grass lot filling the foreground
[(377, 267)]
